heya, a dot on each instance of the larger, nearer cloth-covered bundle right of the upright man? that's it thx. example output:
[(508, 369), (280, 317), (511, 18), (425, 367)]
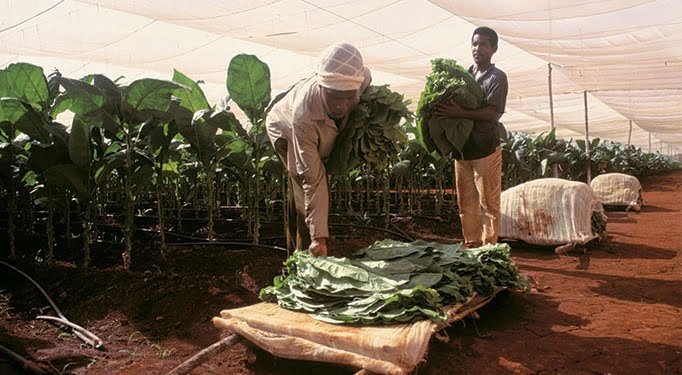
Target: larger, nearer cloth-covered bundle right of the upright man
[(549, 211)]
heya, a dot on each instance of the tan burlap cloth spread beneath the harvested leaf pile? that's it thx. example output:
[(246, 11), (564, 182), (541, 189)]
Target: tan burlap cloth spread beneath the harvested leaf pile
[(395, 349)]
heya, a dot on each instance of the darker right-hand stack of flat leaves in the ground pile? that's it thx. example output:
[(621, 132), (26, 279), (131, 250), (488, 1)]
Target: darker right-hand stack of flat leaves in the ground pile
[(454, 272)]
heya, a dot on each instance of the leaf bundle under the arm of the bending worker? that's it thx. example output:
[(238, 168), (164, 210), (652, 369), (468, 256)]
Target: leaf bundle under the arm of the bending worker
[(373, 133)]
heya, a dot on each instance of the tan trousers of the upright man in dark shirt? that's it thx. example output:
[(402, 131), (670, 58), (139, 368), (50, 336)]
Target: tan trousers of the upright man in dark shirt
[(479, 184)]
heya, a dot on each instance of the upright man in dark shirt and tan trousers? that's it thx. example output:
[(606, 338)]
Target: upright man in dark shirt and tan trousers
[(478, 171)]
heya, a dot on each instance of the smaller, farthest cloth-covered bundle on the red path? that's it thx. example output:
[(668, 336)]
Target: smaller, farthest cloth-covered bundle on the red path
[(618, 189)]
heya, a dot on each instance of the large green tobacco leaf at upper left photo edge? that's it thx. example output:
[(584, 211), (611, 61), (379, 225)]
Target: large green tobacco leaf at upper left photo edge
[(25, 81)]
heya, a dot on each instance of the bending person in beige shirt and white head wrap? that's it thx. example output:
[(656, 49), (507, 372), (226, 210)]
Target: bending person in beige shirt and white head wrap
[(302, 127)]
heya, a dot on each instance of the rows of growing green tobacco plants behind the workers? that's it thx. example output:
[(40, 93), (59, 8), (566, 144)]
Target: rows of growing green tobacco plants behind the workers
[(158, 148)]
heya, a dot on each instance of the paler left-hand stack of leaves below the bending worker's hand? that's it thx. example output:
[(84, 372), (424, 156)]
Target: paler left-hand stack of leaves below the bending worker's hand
[(336, 291)]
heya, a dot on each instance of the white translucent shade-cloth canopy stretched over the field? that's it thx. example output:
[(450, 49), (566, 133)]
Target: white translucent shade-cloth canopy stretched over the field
[(626, 54)]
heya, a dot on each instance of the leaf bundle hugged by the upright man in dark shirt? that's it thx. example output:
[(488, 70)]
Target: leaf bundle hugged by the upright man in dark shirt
[(447, 81)]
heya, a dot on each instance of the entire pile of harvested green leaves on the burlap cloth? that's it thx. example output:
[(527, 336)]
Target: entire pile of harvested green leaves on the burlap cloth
[(392, 281)]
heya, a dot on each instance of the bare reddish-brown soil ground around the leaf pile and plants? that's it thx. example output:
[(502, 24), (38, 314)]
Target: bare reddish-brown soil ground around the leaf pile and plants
[(614, 308)]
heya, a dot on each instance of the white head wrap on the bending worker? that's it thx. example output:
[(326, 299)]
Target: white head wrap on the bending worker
[(341, 68)]
